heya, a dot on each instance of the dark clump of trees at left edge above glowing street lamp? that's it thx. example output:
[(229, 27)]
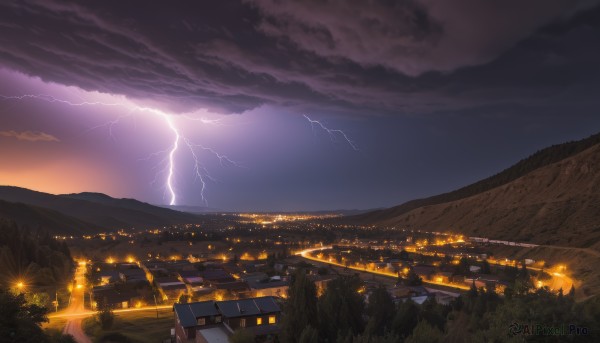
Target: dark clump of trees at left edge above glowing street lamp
[(34, 258)]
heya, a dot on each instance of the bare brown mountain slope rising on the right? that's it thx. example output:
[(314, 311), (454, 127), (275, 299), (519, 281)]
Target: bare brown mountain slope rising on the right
[(551, 197)]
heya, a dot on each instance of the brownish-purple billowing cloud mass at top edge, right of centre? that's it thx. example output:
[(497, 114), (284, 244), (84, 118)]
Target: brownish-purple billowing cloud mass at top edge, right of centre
[(411, 37)]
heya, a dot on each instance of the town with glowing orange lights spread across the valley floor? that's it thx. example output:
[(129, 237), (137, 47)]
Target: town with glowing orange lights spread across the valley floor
[(246, 262)]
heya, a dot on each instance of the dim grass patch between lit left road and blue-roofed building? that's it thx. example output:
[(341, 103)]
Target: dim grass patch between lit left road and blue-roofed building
[(140, 326)]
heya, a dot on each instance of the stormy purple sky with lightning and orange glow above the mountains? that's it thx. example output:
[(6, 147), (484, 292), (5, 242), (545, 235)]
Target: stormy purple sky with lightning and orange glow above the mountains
[(289, 106)]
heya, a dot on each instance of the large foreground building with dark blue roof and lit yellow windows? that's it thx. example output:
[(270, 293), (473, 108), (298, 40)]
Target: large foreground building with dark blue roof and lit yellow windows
[(213, 321)]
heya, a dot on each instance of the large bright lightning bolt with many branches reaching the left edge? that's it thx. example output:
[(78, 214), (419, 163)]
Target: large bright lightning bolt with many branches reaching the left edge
[(200, 171)]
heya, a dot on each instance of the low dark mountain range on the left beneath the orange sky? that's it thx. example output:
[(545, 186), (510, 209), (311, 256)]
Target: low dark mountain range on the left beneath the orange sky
[(83, 212)]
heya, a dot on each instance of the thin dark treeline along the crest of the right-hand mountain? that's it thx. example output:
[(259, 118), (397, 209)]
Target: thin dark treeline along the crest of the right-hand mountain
[(538, 160)]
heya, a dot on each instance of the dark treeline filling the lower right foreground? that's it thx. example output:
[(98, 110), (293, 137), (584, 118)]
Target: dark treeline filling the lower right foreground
[(342, 315)]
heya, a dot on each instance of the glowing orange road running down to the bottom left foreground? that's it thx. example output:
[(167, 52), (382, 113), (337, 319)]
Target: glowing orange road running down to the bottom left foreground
[(75, 308)]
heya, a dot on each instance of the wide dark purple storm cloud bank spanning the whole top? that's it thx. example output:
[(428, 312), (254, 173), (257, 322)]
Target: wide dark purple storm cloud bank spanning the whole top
[(362, 56)]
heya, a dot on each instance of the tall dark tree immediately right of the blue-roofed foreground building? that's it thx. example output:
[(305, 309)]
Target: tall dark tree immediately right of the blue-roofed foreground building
[(301, 307)]
